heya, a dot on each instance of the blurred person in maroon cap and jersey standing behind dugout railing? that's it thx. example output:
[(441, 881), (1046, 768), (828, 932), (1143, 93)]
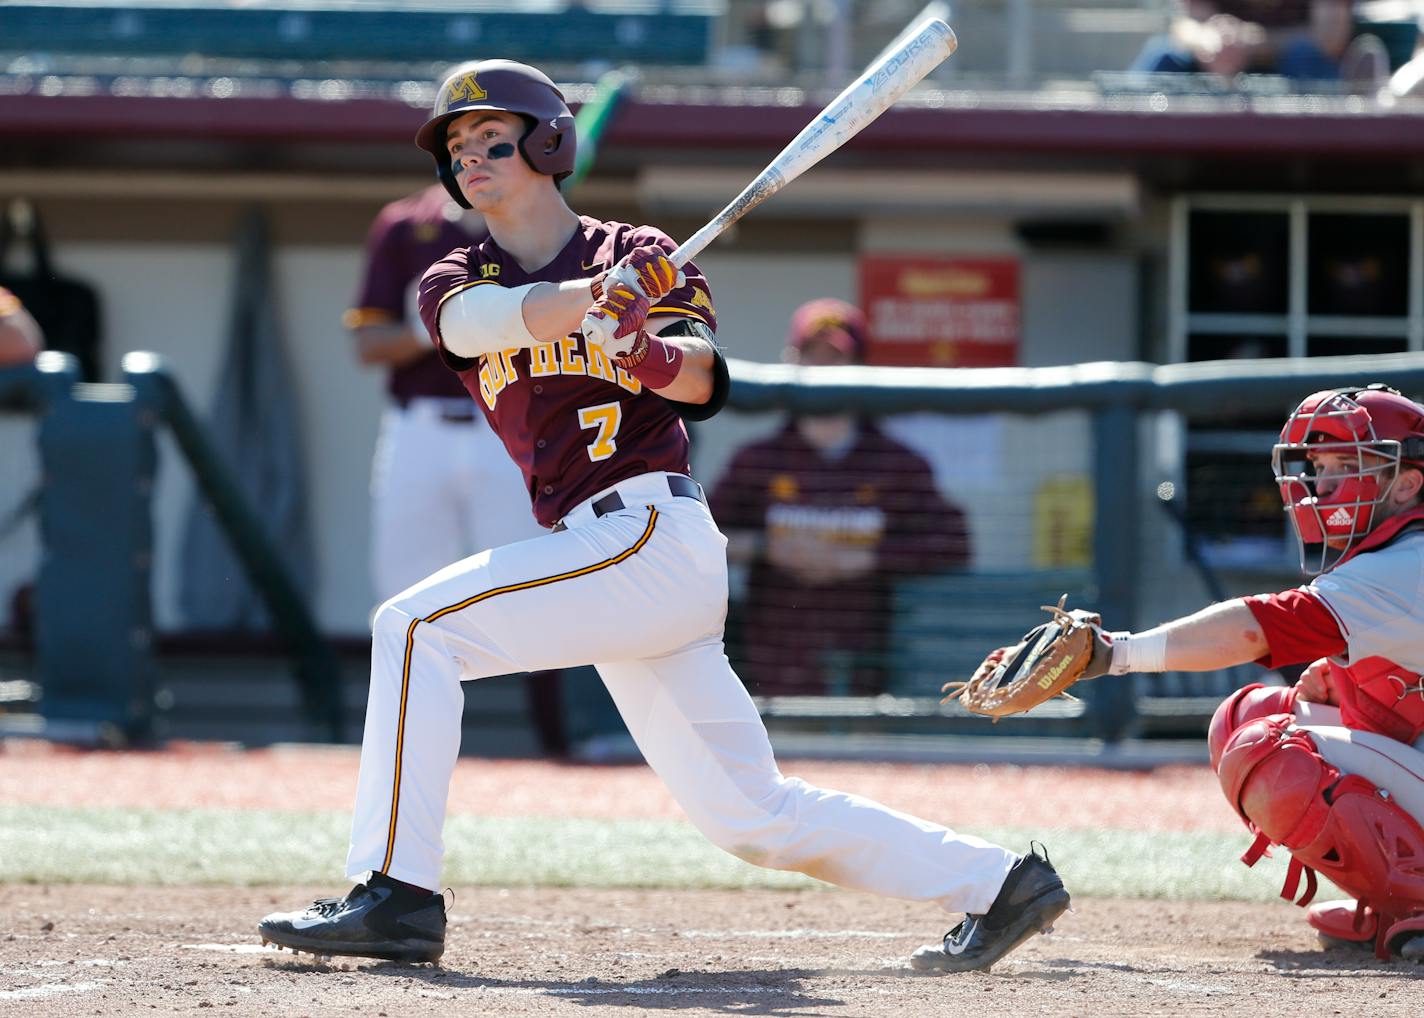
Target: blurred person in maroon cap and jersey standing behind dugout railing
[(829, 513)]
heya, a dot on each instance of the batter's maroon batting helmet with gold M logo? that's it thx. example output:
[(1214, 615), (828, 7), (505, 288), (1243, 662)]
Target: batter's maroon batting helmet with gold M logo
[(549, 145)]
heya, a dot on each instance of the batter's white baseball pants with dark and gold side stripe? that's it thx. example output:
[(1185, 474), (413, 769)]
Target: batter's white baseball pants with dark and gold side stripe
[(642, 593)]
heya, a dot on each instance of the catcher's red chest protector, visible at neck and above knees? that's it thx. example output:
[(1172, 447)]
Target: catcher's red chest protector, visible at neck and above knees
[(1378, 696)]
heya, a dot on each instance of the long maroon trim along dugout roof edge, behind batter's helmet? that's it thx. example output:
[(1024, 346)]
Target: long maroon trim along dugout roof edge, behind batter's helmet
[(659, 126)]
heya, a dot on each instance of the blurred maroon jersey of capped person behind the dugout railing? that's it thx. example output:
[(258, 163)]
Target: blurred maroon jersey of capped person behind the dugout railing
[(878, 495)]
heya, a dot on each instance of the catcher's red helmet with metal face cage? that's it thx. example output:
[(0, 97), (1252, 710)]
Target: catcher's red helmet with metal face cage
[(1376, 426)]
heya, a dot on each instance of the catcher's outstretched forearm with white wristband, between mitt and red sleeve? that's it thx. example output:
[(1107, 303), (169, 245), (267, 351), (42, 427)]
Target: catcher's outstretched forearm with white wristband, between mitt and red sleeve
[(1217, 637)]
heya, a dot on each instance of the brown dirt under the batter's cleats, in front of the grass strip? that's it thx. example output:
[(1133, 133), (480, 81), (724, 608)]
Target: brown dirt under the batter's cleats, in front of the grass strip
[(142, 952)]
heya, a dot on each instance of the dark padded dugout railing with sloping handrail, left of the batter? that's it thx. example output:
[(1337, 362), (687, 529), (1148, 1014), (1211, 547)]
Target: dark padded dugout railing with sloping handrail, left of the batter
[(93, 636)]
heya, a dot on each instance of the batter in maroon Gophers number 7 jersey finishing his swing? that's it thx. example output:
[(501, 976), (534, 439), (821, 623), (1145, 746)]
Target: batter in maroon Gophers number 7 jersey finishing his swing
[(632, 576)]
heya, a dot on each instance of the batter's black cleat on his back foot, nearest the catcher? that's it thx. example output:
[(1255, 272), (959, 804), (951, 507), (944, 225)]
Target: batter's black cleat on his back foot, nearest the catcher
[(1032, 899)]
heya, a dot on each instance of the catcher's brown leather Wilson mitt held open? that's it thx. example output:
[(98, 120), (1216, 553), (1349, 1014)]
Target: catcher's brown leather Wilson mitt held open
[(1050, 658)]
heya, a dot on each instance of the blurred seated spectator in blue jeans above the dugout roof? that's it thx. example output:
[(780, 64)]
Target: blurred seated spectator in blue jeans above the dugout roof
[(1308, 41)]
